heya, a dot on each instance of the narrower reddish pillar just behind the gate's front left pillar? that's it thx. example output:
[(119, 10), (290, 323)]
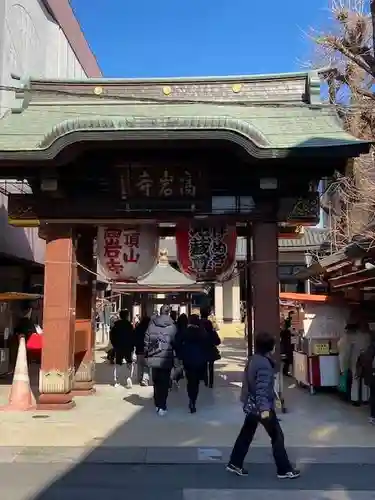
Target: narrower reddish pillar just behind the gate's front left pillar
[(83, 383)]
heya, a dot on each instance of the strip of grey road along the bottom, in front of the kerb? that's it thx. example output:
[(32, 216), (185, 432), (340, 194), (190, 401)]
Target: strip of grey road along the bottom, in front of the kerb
[(177, 482)]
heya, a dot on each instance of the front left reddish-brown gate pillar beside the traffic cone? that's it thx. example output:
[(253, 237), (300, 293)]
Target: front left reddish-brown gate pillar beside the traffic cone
[(57, 368)]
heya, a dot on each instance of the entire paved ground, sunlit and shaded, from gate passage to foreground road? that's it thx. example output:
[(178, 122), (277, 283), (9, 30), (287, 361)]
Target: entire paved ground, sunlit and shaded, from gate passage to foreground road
[(113, 444)]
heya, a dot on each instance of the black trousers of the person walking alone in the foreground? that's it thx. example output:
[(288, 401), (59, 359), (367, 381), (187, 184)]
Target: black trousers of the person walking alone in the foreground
[(246, 435)]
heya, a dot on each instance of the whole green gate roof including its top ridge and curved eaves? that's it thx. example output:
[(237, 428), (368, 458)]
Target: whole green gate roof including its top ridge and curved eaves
[(270, 116)]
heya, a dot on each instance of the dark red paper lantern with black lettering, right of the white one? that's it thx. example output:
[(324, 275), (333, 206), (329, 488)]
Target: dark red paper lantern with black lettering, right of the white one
[(206, 252)]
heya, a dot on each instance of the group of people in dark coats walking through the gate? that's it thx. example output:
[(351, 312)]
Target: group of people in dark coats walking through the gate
[(165, 349)]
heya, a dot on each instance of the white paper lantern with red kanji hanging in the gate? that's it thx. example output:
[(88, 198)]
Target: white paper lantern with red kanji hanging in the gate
[(126, 253)]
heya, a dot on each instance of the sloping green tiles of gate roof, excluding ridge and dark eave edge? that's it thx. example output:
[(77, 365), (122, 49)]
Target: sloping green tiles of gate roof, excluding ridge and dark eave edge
[(270, 127)]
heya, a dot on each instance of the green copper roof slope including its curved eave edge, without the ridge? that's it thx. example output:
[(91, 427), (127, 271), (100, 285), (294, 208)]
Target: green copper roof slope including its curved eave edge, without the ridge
[(40, 132)]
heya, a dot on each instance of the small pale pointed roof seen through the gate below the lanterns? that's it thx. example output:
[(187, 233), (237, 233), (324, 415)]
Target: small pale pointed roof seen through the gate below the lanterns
[(163, 278)]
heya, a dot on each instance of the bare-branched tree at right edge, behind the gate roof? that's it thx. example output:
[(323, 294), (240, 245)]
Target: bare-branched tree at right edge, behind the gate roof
[(347, 47)]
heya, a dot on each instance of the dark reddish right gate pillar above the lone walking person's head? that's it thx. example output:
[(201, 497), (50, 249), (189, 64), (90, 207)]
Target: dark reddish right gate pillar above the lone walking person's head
[(265, 280)]
